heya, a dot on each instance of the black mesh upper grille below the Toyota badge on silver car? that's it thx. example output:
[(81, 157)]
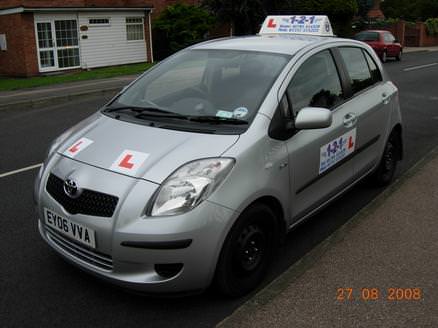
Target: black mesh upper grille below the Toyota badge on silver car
[(88, 203)]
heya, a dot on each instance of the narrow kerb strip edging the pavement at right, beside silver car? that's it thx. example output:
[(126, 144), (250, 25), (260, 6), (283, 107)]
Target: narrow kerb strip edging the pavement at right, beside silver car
[(279, 284)]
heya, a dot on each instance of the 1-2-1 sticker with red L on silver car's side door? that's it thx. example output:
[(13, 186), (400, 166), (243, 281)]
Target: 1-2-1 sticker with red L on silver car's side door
[(336, 150)]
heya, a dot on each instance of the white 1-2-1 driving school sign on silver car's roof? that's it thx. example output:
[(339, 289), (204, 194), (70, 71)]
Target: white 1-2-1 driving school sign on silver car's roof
[(310, 25)]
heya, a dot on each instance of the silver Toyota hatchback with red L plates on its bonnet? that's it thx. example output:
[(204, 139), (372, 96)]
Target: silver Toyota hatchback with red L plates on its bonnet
[(196, 170)]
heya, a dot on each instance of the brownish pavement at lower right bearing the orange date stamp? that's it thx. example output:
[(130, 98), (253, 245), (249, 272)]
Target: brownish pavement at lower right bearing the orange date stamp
[(378, 270)]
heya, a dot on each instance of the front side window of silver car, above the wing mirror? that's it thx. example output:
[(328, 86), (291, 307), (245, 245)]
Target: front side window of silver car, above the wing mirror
[(316, 84)]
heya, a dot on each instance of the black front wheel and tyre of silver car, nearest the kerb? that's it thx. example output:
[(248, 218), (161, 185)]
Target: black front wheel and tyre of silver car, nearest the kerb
[(247, 251)]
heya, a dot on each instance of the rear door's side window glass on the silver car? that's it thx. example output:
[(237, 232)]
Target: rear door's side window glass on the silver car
[(357, 68)]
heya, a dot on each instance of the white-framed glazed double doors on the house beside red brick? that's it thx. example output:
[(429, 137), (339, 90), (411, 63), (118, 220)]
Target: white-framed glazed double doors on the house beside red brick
[(57, 44)]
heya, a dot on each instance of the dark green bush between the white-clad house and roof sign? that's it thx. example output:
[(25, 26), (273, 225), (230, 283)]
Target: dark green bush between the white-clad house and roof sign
[(180, 25)]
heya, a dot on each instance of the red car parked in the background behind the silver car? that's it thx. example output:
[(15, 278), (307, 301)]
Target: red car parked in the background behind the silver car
[(383, 43)]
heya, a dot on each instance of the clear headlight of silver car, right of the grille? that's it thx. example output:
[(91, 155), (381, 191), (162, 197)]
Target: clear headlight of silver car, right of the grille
[(188, 186)]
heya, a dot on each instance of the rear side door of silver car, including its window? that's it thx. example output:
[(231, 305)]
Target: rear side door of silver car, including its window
[(368, 105)]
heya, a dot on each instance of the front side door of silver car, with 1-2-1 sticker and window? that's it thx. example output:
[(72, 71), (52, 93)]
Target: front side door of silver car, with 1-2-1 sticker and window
[(318, 159)]
